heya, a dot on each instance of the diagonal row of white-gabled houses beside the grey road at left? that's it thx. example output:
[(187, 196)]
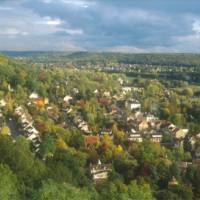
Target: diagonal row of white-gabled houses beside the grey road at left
[(26, 123)]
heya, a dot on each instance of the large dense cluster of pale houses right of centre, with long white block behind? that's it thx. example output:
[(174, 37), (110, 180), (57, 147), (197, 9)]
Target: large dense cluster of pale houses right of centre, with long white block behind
[(141, 126)]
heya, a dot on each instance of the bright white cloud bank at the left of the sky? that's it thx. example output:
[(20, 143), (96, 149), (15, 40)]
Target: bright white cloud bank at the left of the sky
[(23, 22)]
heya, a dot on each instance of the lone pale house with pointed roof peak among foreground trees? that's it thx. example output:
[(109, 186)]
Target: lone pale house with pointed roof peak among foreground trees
[(99, 172)]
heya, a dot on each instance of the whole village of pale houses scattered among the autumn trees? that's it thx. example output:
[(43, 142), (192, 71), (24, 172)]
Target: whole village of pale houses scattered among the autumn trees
[(126, 111)]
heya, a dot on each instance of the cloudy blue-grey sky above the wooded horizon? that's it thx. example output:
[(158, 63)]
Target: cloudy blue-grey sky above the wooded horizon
[(129, 26)]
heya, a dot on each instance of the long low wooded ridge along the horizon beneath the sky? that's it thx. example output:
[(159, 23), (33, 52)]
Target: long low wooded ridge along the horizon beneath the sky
[(116, 58)]
